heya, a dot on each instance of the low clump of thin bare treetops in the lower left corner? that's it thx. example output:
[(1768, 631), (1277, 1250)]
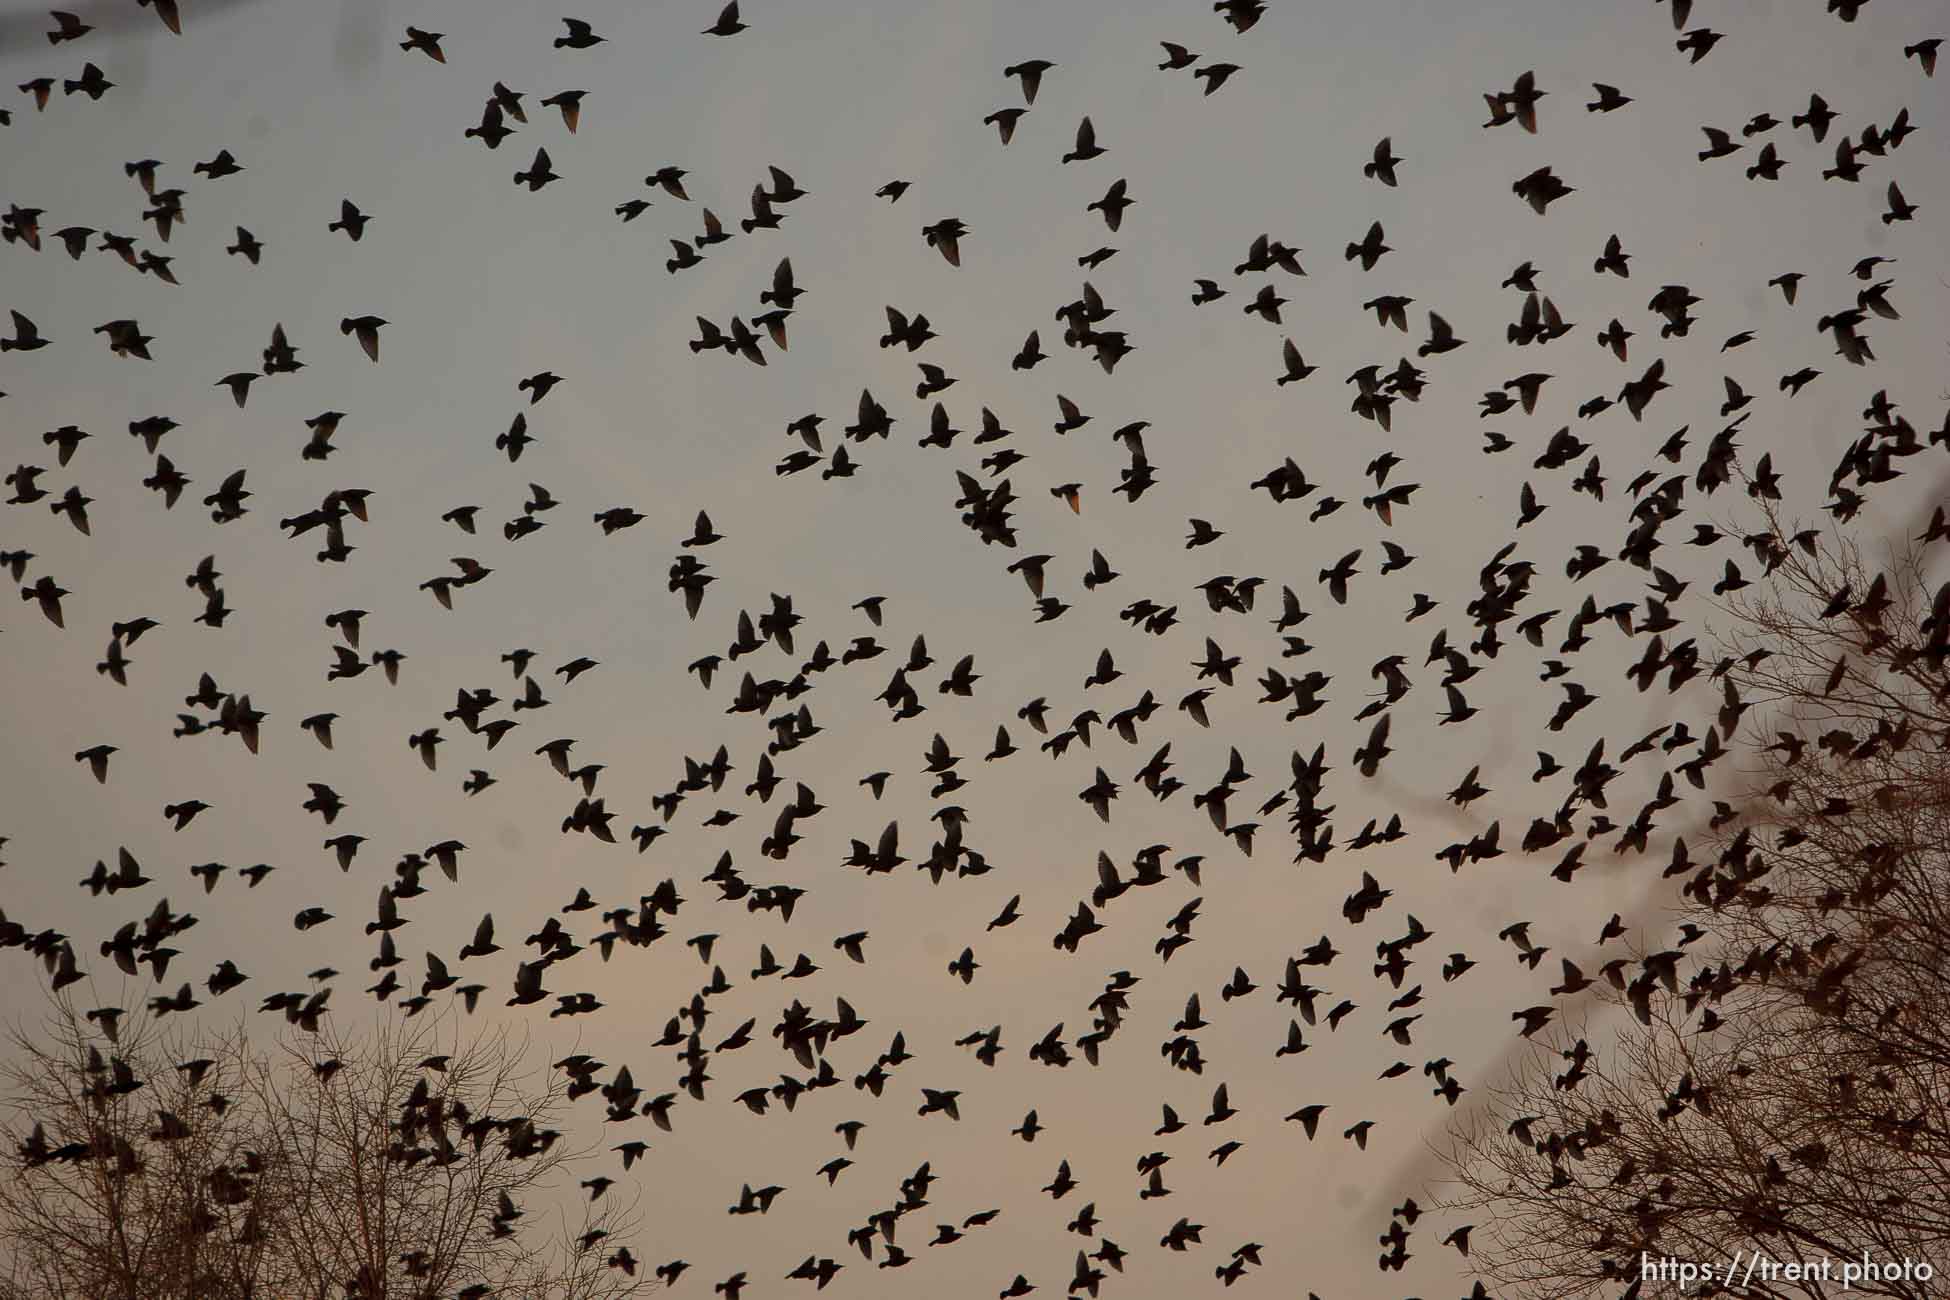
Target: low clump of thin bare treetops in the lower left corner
[(405, 1163)]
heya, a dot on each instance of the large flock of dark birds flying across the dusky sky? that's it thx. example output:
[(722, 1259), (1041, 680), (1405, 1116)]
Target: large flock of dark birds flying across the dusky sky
[(775, 771)]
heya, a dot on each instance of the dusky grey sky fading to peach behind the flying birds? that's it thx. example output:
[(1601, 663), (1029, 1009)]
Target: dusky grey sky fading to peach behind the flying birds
[(485, 284)]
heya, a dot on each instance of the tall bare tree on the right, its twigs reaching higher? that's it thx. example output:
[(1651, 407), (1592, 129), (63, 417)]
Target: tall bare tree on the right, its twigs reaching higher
[(1775, 1089)]
